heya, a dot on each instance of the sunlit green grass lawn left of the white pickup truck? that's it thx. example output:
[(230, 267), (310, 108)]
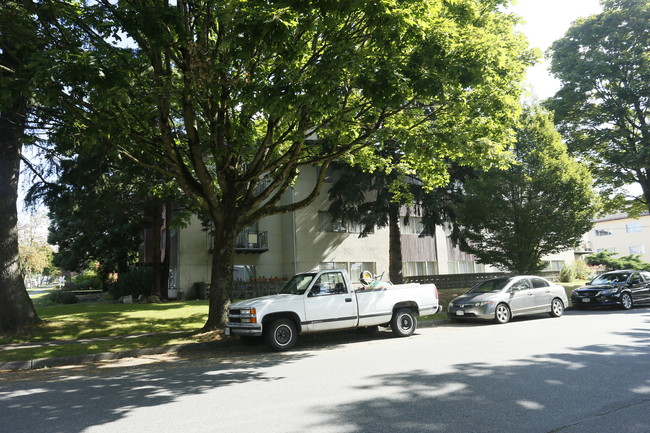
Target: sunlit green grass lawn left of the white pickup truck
[(177, 321)]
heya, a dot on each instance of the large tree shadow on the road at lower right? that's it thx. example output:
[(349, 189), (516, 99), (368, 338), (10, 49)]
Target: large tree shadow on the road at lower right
[(554, 392)]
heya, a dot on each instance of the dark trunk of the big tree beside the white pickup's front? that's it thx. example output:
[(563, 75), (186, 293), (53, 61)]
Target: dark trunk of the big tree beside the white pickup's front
[(221, 280)]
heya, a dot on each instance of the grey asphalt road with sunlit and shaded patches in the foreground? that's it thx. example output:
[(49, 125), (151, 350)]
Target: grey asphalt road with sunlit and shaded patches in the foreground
[(584, 372)]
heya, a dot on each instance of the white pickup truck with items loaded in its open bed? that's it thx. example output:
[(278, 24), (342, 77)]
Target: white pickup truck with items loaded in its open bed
[(325, 301)]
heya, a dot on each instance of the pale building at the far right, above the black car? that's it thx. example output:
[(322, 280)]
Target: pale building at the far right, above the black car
[(622, 235)]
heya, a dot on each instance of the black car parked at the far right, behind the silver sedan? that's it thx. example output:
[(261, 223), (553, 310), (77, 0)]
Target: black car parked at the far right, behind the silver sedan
[(617, 288)]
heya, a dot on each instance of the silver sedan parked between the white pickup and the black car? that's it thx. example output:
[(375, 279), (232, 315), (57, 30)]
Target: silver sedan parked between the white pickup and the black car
[(500, 299)]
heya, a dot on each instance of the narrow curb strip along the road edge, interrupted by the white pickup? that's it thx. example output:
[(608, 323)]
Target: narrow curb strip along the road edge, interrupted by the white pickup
[(35, 364)]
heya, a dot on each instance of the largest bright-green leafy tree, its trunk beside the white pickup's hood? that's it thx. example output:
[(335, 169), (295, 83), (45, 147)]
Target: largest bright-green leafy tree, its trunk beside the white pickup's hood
[(232, 98)]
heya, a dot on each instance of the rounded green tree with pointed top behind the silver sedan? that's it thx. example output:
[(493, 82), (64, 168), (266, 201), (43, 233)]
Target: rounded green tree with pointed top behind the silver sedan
[(542, 204)]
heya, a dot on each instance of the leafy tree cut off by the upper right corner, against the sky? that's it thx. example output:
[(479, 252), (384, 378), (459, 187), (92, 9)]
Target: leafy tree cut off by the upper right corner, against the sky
[(603, 105)]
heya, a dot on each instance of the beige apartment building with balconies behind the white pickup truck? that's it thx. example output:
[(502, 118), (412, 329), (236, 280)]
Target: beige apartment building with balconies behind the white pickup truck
[(281, 245)]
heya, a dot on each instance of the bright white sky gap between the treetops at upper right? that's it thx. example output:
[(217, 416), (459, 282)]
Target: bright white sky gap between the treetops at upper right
[(545, 22)]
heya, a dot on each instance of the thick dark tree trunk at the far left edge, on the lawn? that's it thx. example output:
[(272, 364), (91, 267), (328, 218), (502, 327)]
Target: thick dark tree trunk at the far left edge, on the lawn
[(16, 308)]
